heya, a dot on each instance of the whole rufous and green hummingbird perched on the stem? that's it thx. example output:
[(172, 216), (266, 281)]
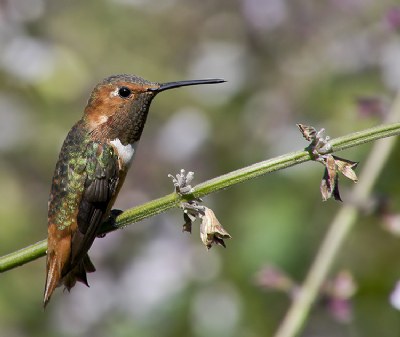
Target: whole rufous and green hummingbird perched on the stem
[(91, 169)]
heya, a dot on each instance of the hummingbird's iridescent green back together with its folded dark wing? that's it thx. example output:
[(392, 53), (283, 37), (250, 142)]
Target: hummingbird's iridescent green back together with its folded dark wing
[(84, 183)]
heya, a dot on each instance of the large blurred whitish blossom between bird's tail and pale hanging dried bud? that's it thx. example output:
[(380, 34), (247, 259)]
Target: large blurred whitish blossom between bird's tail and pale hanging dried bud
[(154, 276)]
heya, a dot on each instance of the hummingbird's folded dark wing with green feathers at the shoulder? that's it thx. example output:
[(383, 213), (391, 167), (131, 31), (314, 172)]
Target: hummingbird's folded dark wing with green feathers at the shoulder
[(99, 191)]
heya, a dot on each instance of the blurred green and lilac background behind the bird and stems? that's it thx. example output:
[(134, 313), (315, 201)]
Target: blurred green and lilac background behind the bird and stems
[(332, 64)]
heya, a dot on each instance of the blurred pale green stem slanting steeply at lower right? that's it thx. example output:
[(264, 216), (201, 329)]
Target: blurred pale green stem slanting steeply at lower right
[(341, 225)]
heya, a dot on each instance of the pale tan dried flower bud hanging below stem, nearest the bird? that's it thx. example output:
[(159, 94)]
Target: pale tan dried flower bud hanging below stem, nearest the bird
[(211, 231)]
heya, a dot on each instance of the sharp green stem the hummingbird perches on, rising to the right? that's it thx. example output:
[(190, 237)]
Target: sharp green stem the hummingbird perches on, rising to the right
[(157, 206)]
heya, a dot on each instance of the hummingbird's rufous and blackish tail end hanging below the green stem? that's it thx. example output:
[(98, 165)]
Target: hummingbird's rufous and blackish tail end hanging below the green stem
[(54, 277)]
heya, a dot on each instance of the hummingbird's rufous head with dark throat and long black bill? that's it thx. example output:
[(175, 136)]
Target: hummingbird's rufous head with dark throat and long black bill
[(120, 103)]
